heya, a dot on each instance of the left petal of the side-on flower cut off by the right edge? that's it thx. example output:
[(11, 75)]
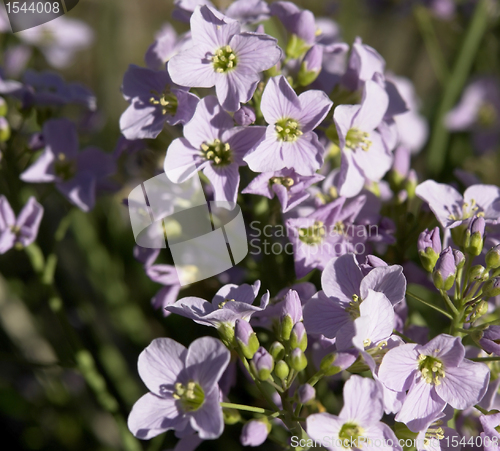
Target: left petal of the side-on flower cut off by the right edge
[(443, 200)]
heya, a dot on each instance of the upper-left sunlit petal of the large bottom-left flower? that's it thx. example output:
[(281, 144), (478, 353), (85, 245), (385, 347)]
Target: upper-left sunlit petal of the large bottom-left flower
[(160, 363)]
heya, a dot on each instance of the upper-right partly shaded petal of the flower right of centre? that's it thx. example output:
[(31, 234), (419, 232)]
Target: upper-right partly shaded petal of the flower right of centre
[(388, 280)]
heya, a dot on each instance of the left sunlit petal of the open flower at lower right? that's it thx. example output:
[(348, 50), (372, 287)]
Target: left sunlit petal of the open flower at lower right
[(398, 367)]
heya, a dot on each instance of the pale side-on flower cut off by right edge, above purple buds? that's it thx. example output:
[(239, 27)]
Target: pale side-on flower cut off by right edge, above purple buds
[(452, 209)]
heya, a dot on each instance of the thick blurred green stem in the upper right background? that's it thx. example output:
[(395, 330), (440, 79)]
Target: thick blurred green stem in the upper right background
[(439, 140)]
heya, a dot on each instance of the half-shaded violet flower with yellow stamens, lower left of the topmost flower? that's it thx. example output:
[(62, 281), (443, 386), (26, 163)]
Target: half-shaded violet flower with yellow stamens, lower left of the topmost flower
[(154, 102)]
